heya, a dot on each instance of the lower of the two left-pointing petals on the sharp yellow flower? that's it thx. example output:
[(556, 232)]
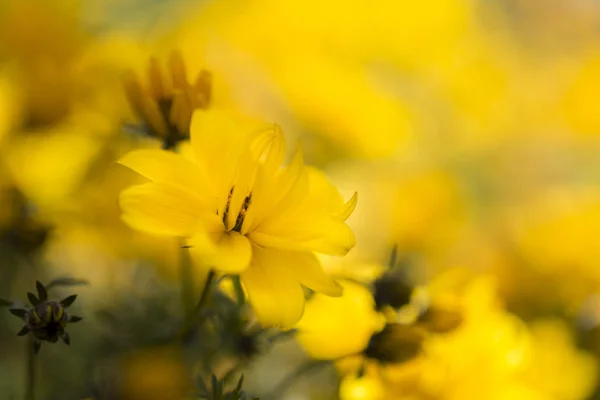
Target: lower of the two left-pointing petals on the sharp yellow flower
[(162, 209)]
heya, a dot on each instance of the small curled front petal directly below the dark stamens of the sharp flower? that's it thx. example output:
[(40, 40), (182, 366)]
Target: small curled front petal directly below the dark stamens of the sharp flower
[(231, 253)]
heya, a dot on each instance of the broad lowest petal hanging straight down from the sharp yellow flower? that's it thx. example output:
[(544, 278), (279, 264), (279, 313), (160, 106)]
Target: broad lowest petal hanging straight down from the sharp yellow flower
[(273, 292)]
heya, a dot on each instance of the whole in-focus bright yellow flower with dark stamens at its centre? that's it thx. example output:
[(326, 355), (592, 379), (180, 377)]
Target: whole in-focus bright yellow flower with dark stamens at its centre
[(243, 213)]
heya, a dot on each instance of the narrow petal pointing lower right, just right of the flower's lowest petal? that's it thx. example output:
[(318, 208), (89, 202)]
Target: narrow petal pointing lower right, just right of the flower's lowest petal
[(307, 269)]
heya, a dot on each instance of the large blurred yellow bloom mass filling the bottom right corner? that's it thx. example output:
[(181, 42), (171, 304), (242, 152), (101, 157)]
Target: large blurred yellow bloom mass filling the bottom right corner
[(492, 354)]
